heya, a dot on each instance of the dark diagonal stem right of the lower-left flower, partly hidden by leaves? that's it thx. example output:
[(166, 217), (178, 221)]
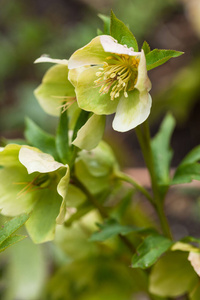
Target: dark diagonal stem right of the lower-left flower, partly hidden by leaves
[(102, 211)]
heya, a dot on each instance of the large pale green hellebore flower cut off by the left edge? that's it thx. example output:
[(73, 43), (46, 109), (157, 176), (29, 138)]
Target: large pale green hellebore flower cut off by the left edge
[(33, 182)]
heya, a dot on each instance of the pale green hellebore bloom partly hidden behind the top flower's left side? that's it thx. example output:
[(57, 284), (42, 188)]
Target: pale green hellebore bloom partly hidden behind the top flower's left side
[(56, 92)]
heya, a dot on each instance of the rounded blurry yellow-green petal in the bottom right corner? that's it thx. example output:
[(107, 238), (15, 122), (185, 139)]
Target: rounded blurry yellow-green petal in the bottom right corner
[(173, 275)]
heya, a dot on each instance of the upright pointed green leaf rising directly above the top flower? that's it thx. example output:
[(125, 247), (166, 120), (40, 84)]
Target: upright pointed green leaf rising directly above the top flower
[(121, 33)]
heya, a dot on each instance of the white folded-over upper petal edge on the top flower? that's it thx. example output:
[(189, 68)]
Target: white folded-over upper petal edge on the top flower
[(110, 45)]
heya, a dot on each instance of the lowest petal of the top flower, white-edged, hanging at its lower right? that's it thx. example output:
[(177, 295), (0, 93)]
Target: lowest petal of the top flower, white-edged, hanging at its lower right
[(132, 111)]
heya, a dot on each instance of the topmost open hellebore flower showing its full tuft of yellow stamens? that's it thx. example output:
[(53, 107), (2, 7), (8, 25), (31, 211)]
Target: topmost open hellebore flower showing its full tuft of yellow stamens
[(110, 78)]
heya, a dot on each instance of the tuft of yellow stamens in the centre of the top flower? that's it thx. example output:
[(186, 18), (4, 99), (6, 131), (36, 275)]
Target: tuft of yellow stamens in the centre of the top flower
[(118, 74)]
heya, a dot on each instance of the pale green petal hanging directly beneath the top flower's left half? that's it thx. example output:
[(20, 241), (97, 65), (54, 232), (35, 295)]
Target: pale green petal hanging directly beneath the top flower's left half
[(91, 133)]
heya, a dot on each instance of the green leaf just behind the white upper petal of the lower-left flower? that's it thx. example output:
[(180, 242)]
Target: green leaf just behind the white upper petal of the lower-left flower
[(40, 139)]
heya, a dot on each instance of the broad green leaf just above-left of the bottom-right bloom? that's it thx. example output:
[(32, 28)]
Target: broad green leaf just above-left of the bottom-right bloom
[(150, 250)]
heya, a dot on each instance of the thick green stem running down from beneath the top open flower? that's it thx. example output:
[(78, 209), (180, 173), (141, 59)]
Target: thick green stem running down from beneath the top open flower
[(144, 139)]
